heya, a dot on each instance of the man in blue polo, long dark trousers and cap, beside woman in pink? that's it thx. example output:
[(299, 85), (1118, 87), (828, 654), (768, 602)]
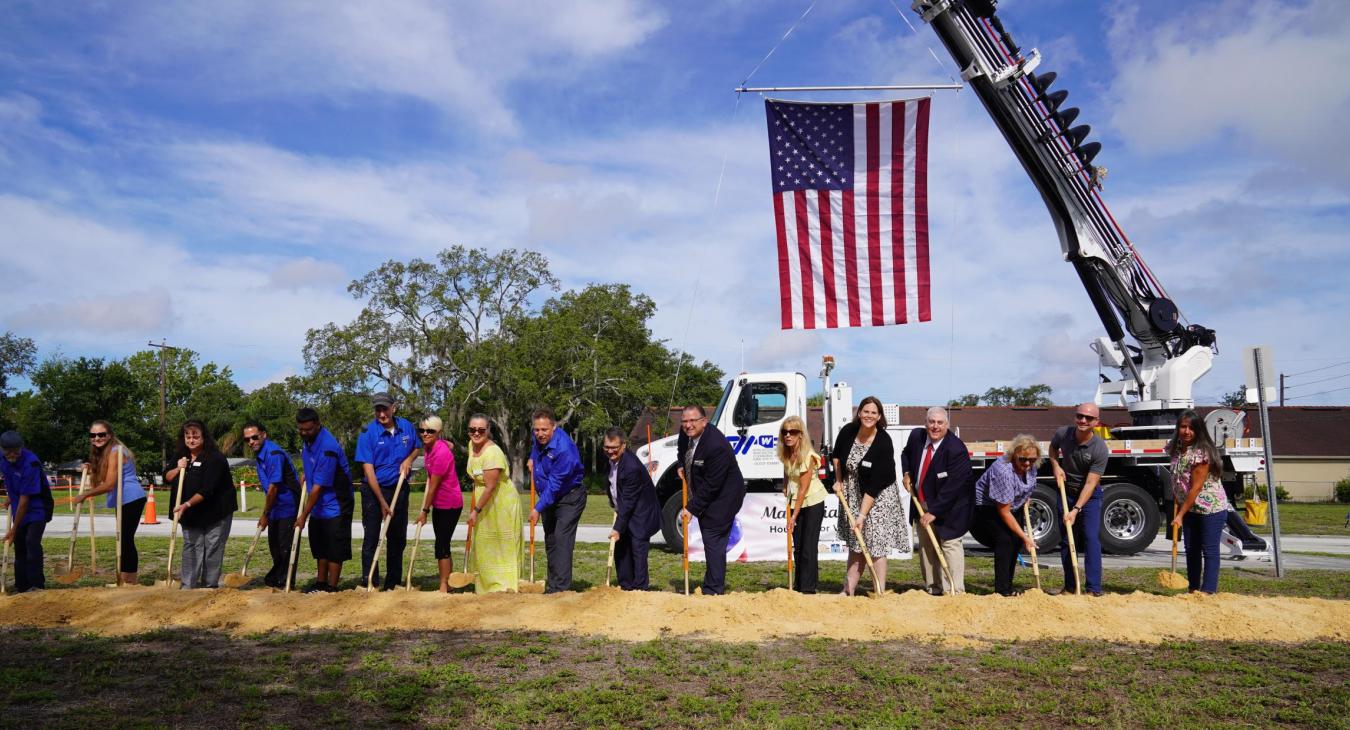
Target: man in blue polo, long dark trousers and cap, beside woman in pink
[(387, 451)]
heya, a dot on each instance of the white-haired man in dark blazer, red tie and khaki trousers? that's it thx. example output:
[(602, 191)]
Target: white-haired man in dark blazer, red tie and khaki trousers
[(939, 468)]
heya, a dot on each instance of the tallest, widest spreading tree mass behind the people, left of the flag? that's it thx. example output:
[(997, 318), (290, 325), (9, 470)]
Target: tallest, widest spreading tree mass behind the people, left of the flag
[(457, 337)]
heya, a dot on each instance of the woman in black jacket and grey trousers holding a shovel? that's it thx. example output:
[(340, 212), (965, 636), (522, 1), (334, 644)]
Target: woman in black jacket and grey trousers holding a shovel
[(209, 505)]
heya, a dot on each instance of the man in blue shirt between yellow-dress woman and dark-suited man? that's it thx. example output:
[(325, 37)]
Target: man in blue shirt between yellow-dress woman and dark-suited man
[(562, 499)]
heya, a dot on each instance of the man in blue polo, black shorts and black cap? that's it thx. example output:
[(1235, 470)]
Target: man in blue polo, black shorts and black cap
[(330, 500)]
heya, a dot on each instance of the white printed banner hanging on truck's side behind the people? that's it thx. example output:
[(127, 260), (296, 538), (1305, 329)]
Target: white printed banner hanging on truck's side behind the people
[(759, 532)]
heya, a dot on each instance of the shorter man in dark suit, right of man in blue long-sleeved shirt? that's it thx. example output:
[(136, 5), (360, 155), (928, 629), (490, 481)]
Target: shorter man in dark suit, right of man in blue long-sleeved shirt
[(637, 516)]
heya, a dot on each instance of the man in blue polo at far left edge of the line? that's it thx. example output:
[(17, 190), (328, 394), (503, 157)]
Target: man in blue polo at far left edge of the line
[(30, 511)]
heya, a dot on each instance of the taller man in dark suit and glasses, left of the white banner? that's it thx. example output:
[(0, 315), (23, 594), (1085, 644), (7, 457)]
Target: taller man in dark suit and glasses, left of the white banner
[(716, 490)]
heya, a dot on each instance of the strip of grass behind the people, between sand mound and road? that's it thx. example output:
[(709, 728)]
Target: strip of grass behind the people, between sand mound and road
[(668, 575)]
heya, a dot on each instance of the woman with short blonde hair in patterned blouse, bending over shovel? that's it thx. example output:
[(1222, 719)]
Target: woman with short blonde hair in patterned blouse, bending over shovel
[(1000, 496)]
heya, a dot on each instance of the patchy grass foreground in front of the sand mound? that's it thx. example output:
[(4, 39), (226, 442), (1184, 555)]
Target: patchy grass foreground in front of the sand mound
[(514, 679)]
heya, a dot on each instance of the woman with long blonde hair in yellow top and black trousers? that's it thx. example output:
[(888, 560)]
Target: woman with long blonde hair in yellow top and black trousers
[(805, 497)]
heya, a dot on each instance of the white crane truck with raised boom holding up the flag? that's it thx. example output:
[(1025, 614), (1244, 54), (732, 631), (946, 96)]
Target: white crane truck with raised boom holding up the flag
[(1155, 370)]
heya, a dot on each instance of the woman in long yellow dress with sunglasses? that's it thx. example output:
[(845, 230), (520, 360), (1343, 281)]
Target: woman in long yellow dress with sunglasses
[(495, 516)]
